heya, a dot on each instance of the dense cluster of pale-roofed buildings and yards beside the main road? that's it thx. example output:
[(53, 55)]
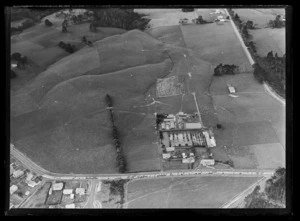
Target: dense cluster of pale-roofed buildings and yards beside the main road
[(180, 134)]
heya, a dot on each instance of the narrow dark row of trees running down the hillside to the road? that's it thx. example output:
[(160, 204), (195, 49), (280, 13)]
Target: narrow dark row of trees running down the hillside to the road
[(121, 163)]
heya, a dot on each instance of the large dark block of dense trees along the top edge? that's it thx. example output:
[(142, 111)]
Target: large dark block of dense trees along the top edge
[(118, 18)]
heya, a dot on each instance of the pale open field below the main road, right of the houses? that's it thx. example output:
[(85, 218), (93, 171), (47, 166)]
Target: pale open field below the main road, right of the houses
[(191, 192)]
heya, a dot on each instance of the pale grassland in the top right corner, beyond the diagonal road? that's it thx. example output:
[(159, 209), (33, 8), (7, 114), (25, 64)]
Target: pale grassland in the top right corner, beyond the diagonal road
[(265, 39)]
